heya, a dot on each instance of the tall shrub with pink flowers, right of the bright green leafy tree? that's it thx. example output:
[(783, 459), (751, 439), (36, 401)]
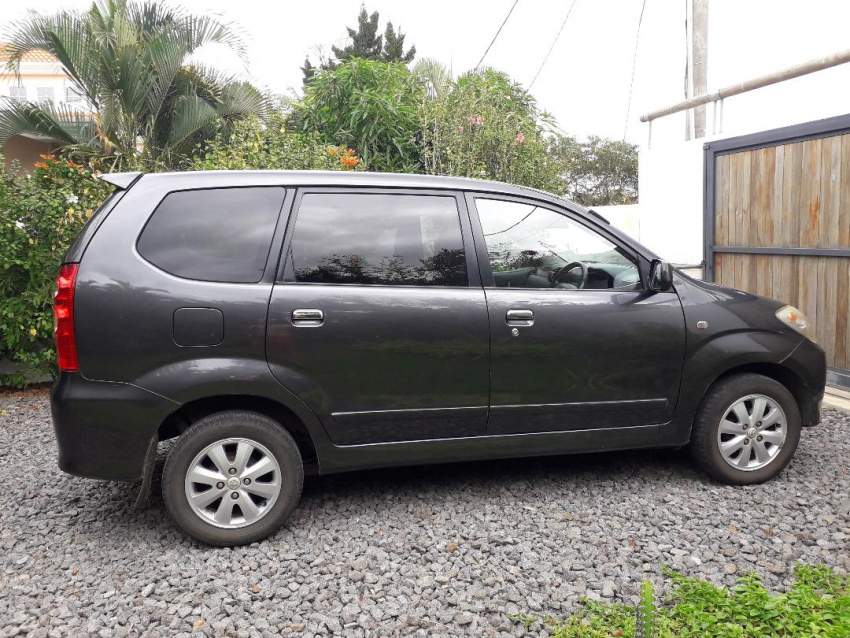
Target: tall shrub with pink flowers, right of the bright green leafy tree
[(489, 127)]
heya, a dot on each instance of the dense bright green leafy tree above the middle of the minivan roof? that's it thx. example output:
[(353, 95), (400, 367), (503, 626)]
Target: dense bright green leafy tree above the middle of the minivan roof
[(370, 106)]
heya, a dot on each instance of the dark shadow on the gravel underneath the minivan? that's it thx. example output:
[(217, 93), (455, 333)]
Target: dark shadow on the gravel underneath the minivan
[(110, 506)]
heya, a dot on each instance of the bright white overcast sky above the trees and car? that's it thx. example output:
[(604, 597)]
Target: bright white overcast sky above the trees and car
[(585, 83)]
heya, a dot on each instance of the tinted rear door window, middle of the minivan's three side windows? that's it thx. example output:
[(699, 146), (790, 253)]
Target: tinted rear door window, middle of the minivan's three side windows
[(350, 238)]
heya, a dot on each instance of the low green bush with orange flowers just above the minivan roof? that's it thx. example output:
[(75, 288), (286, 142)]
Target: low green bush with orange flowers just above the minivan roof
[(270, 144)]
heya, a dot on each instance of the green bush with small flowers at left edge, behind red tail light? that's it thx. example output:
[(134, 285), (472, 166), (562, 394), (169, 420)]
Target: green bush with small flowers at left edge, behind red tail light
[(40, 215)]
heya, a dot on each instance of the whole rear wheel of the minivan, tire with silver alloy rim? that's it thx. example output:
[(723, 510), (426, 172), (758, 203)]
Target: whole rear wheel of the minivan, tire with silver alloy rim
[(233, 478)]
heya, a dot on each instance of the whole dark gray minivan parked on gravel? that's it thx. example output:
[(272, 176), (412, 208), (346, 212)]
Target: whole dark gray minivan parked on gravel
[(280, 323)]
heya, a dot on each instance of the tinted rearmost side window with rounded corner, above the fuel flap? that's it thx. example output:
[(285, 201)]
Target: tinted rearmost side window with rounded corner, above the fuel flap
[(218, 234)]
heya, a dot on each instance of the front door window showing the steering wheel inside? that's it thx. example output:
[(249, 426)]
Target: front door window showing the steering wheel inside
[(534, 247)]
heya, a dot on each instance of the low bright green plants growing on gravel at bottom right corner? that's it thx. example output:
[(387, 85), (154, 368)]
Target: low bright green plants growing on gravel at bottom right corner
[(817, 605)]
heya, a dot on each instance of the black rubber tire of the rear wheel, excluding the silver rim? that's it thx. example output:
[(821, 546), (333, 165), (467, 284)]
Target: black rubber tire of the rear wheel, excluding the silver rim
[(224, 425)]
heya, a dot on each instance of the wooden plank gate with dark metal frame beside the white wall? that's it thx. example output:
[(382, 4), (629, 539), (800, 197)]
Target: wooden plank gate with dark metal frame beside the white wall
[(777, 223)]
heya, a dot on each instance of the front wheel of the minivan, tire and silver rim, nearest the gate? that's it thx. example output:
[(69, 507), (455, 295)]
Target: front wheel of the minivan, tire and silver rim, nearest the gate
[(746, 430)]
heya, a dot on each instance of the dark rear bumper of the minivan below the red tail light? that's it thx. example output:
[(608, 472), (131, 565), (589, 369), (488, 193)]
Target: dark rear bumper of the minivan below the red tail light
[(102, 428)]
